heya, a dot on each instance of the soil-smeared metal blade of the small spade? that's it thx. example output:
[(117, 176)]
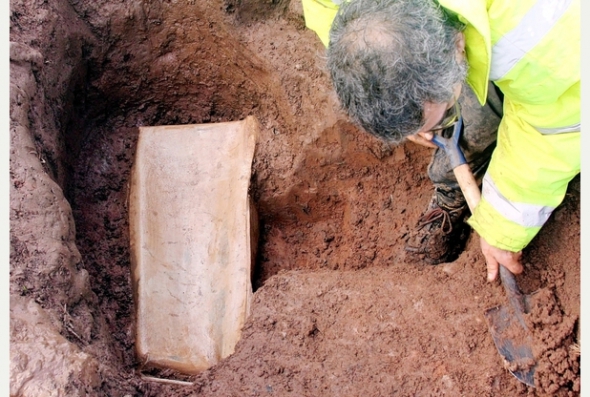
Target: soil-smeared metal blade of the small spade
[(516, 351)]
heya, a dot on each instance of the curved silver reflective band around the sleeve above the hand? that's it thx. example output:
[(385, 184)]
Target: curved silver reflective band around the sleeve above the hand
[(526, 215)]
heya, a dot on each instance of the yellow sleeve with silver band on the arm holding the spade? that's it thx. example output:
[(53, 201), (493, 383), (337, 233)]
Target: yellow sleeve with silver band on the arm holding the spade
[(526, 180)]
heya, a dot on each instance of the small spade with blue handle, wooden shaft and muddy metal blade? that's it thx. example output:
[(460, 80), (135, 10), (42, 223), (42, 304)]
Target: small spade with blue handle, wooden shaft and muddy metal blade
[(506, 322)]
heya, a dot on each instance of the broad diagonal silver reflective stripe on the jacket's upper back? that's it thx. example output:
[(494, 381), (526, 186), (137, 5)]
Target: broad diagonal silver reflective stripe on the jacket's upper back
[(537, 22)]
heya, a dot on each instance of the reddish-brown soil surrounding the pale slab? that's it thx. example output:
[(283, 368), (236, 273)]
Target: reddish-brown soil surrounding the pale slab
[(337, 311)]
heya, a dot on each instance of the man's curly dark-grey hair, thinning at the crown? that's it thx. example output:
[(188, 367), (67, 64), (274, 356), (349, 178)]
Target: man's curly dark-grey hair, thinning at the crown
[(388, 57)]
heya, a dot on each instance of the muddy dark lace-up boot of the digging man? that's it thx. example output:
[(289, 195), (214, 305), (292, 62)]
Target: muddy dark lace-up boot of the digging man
[(441, 232)]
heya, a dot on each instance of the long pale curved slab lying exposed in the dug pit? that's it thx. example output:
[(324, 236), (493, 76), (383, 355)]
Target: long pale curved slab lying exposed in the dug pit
[(191, 241)]
